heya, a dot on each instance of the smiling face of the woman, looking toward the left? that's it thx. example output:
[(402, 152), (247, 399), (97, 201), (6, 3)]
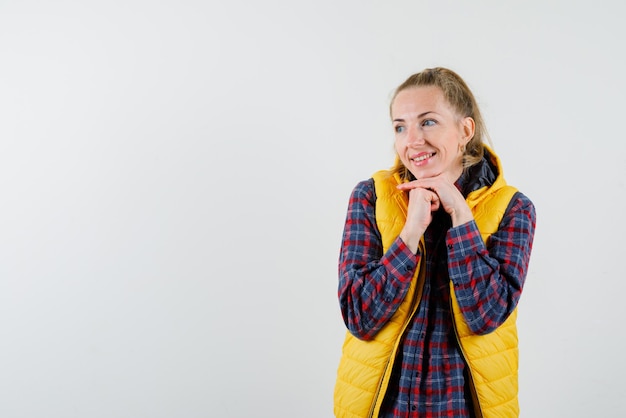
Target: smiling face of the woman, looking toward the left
[(428, 133)]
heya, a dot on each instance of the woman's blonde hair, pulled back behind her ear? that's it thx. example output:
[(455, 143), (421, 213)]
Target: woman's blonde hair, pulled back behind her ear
[(460, 97)]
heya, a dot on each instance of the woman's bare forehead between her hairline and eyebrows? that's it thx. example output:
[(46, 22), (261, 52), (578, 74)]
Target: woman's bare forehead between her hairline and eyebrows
[(419, 100)]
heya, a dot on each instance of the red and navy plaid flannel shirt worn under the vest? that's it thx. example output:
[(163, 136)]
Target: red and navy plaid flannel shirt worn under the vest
[(429, 378)]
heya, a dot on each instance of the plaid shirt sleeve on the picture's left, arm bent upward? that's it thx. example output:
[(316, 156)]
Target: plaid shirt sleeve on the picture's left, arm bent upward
[(371, 284)]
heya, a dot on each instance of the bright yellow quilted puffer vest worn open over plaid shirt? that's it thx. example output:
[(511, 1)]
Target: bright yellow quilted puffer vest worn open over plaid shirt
[(365, 366)]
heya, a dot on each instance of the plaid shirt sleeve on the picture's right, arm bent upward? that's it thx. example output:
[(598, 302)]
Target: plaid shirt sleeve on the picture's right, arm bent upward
[(488, 279)]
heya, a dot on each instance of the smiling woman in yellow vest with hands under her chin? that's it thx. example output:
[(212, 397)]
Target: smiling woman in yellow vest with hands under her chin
[(433, 260)]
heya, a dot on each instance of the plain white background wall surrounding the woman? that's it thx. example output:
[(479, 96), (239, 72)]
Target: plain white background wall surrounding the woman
[(174, 177)]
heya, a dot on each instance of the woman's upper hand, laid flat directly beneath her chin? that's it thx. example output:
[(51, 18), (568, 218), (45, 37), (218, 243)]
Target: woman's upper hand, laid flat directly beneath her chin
[(450, 197)]
